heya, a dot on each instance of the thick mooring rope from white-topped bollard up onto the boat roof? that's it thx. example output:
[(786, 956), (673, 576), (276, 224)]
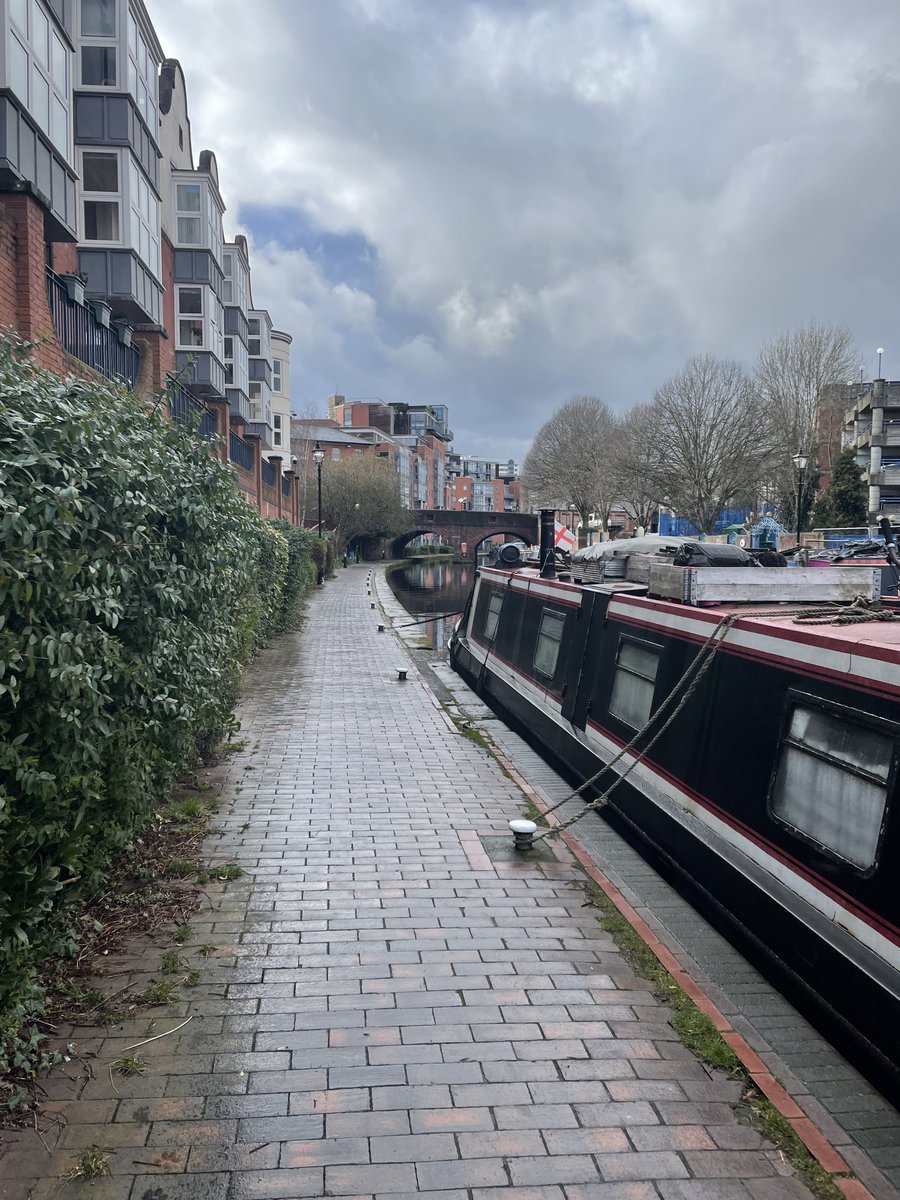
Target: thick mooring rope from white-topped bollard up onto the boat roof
[(861, 610)]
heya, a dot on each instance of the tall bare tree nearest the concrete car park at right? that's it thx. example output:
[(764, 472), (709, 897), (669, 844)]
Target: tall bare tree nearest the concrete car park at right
[(801, 379)]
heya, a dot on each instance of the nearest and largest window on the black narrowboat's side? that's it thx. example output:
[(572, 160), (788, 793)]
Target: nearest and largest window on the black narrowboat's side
[(831, 784)]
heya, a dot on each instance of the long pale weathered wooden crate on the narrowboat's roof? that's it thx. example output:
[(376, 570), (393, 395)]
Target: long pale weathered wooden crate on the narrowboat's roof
[(764, 585)]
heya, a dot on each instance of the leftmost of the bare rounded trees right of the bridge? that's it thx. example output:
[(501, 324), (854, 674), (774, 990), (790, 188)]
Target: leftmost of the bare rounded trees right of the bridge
[(573, 460)]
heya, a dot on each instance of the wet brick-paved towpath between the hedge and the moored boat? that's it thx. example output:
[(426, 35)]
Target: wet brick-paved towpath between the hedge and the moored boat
[(389, 1011)]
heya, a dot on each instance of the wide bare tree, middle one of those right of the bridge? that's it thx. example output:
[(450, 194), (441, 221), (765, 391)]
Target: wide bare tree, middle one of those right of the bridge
[(713, 449)]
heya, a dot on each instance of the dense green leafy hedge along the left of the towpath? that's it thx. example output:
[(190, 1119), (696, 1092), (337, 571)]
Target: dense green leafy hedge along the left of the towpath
[(135, 585)]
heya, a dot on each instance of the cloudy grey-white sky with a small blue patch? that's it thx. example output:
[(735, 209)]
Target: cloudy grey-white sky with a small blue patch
[(496, 205)]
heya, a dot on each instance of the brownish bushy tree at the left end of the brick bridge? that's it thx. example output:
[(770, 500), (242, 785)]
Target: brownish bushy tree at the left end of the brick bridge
[(361, 499)]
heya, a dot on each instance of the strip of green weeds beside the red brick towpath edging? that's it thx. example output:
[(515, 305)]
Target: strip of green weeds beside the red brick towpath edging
[(700, 1035)]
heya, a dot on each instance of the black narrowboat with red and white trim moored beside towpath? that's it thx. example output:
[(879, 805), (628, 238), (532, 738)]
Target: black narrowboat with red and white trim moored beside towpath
[(772, 797)]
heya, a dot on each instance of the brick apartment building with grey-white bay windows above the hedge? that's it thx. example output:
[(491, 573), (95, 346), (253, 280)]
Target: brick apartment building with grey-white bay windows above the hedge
[(113, 257)]
